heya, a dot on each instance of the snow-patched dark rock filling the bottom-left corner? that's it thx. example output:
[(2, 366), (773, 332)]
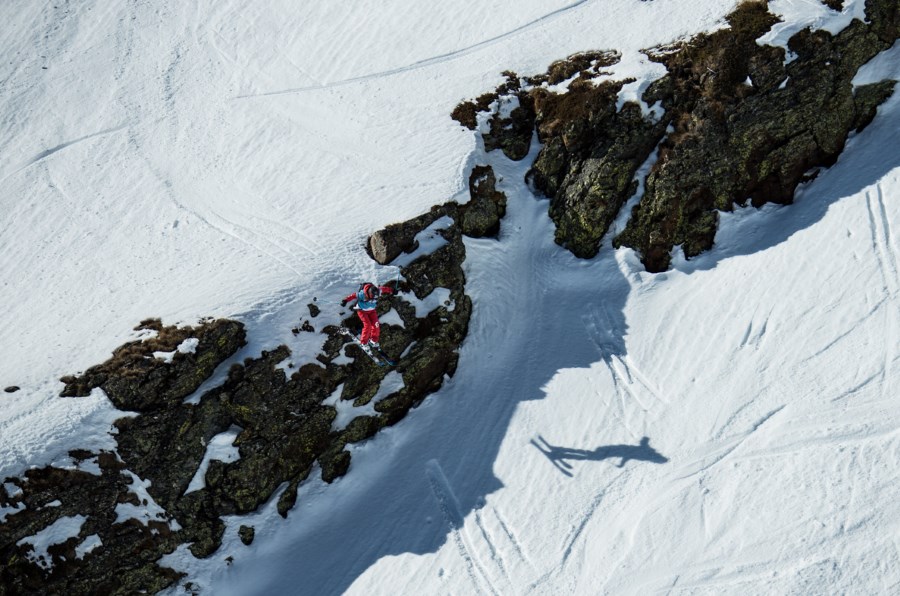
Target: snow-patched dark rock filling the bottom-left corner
[(123, 562)]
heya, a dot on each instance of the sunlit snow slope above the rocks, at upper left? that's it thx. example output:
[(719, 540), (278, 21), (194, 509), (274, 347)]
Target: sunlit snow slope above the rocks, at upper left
[(162, 165)]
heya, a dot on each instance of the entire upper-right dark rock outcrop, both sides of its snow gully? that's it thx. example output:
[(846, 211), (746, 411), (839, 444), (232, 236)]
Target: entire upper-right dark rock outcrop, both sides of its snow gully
[(748, 128)]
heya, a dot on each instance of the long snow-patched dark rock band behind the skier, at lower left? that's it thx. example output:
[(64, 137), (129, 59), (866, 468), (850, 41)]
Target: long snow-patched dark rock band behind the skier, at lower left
[(283, 427)]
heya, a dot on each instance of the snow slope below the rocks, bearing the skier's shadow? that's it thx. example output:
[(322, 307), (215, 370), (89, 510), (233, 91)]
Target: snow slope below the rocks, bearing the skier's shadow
[(735, 365)]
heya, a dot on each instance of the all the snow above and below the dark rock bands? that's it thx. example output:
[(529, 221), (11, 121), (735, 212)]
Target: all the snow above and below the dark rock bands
[(230, 160)]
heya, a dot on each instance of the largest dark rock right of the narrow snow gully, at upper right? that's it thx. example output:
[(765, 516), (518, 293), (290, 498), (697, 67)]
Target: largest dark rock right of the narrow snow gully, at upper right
[(736, 142)]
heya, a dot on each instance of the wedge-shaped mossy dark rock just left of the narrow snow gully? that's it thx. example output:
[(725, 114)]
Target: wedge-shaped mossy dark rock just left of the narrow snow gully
[(590, 152)]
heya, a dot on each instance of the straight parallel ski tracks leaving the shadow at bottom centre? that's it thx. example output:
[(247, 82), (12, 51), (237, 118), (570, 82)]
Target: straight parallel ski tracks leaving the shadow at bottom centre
[(482, 553)]
